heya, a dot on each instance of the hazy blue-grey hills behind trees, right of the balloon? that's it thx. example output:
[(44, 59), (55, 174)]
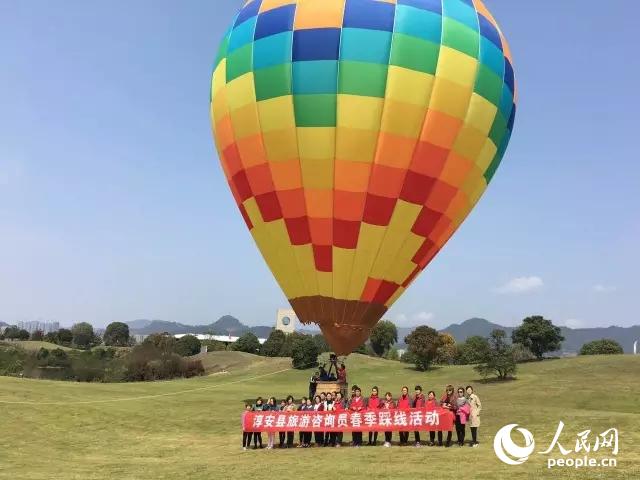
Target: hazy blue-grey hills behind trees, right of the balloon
[(574, 338)]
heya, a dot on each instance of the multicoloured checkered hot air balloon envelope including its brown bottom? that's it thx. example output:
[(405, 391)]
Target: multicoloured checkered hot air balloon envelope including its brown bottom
[(356, 136)]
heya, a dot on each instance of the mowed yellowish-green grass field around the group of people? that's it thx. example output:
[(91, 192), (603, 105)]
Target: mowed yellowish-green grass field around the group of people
[(190, 429)]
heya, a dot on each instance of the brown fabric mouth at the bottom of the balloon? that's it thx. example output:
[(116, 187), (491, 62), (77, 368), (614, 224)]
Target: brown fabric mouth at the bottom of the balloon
[(345, 324)]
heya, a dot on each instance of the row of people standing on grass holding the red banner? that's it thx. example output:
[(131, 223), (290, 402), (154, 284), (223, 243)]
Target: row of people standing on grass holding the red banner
[(464, 403)]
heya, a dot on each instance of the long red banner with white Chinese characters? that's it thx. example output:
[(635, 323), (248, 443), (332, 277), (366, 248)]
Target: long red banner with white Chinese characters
[(382, 420)]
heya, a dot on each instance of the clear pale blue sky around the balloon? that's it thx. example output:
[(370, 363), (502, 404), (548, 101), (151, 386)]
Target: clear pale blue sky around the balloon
[(113, 205)]
